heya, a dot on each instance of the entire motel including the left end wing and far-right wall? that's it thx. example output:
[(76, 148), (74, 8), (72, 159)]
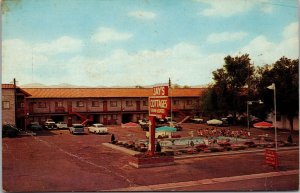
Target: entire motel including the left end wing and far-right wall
[(21, 106)]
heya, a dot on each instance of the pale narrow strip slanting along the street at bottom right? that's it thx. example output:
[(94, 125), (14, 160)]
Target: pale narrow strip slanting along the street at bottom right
[(166, 186)]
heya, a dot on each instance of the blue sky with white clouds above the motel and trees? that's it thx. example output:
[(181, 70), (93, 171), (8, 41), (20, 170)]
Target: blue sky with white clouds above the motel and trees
[(140, 42)]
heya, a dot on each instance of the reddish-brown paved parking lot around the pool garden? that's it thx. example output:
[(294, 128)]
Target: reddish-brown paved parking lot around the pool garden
[(55, 160)]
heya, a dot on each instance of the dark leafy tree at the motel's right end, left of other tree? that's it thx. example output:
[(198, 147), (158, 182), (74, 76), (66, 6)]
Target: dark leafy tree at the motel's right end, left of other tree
[(230, 83)]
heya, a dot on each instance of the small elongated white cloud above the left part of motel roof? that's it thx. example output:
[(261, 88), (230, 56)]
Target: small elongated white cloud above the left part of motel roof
[(63, 44)]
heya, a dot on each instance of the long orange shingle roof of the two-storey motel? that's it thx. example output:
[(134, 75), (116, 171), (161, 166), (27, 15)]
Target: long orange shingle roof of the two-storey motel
[(106, 92)]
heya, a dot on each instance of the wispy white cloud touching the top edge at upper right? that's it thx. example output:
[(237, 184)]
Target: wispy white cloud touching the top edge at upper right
[(229, 8)]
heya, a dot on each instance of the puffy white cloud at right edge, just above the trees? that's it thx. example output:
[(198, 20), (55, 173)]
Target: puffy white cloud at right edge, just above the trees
[(263, 51)]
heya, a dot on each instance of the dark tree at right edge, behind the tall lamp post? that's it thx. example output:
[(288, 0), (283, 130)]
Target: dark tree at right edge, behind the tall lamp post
[(285, 74)]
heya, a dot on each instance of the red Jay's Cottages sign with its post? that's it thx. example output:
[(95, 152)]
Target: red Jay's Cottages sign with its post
[(159, 105)]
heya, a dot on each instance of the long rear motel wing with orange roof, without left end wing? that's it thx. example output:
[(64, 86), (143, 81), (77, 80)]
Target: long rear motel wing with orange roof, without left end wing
[(103, 105)]
